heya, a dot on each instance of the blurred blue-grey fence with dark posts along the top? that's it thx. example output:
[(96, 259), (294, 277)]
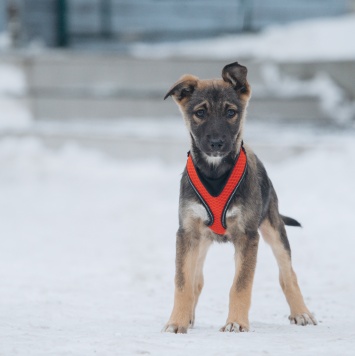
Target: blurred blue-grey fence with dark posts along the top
[(118, 22)]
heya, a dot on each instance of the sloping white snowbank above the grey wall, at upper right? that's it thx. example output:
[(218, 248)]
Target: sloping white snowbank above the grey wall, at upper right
[(324, 39)]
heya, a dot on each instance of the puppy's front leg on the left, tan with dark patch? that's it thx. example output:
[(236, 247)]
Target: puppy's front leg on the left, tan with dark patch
[(187, 252)]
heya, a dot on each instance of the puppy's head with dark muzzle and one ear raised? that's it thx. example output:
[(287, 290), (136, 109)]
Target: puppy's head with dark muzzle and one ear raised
[(214, 110)]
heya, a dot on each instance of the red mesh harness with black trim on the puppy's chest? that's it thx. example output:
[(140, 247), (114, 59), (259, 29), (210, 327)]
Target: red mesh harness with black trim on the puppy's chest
[(217, 206)]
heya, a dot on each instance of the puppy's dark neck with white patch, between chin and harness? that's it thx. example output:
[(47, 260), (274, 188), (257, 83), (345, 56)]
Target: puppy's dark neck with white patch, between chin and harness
[(213, 167)]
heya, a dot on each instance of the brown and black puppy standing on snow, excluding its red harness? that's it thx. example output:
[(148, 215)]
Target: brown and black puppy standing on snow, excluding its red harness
[(214, 113)]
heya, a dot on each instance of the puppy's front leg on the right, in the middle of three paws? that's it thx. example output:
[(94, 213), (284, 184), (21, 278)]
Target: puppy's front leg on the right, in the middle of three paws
[(246, 248)]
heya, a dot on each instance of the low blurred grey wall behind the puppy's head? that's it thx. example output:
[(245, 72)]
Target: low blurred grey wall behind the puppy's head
[(68, 86)]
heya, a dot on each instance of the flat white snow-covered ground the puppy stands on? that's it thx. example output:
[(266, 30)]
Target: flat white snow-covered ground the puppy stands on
[(87, 254)]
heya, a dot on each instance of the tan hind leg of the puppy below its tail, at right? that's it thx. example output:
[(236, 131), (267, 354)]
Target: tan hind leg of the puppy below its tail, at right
[(275, 235)]
